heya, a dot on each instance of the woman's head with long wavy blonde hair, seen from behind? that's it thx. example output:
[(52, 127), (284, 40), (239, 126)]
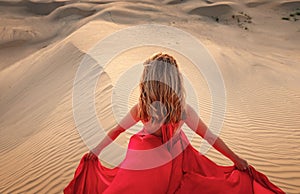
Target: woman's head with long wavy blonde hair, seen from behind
[(162, 95)]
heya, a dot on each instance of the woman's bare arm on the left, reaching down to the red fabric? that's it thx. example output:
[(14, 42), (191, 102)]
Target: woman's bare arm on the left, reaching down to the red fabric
[(128, 121)]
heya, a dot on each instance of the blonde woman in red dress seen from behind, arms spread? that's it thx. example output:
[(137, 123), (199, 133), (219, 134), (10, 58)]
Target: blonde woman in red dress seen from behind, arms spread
[(176, 167)]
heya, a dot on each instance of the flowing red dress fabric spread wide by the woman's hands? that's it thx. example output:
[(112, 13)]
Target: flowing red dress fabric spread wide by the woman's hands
[(186, 171)]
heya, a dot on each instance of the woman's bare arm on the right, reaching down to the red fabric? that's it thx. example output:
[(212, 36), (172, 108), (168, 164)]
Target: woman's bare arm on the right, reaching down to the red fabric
[(196, 124)]
